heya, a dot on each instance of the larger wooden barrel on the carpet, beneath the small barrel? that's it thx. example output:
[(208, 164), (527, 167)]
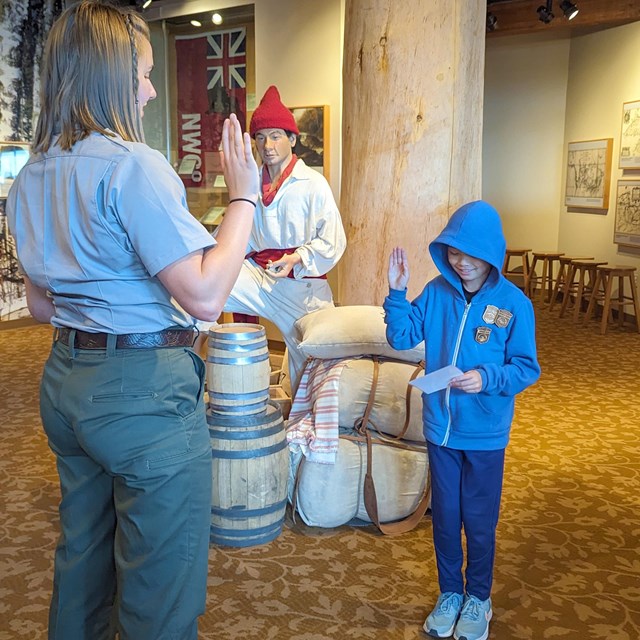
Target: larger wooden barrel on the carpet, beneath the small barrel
[(250, 466)]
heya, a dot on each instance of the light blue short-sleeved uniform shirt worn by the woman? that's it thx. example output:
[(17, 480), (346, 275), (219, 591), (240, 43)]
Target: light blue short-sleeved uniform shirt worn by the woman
[(94, 226)]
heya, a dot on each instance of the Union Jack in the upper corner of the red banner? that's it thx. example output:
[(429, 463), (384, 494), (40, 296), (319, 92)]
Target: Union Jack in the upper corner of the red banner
[(226, 59)]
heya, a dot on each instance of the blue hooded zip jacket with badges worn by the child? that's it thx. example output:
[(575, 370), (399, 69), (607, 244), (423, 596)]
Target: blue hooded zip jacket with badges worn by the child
[(494, 333)]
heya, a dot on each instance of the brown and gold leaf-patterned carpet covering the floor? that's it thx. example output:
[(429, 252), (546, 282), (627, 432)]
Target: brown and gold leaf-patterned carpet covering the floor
[(568, 562)]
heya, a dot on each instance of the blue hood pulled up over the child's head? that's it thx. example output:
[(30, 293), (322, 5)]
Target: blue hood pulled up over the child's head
[(475, 229)]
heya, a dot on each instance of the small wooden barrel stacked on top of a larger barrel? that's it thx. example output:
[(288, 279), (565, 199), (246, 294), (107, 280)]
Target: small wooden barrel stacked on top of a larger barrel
[(238, 369)]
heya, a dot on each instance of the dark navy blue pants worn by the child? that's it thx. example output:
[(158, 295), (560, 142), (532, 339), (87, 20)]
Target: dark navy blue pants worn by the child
[(466, 492)]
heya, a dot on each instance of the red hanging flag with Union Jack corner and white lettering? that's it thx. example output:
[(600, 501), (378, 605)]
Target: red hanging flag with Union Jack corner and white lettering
[(211, 84)]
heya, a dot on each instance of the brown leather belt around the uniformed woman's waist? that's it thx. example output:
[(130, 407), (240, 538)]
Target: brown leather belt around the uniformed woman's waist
[(165, 338)]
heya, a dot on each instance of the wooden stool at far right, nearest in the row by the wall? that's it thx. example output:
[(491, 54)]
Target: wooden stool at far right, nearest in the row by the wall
[(603, 288)]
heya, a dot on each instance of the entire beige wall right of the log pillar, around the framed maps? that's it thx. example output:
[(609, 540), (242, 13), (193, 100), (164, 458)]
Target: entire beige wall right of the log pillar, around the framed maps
[(541, 94)]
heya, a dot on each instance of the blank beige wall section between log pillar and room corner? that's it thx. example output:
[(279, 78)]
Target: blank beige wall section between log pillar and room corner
[(524, 118)]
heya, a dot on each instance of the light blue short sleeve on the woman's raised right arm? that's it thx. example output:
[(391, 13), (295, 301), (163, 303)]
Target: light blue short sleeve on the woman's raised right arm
[(148, 198)]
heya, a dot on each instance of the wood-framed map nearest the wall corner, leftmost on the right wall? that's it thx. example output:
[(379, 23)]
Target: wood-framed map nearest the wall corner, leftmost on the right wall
[(588, 174)]
